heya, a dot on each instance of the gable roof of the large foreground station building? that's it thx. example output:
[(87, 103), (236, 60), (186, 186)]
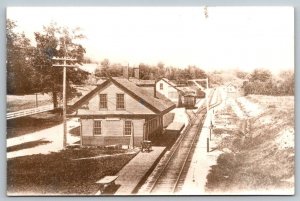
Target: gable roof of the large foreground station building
[(157, 105)]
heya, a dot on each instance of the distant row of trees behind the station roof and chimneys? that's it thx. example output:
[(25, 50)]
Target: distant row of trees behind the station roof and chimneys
[(151, 72)]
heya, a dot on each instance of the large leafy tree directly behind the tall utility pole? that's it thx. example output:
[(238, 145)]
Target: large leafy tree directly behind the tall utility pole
[(55, 41)]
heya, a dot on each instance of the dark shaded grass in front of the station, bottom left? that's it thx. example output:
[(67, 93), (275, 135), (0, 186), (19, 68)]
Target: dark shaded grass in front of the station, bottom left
[(61, 173)]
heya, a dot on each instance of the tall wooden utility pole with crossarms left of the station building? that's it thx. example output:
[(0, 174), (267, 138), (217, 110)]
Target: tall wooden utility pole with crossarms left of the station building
[(64, 65)]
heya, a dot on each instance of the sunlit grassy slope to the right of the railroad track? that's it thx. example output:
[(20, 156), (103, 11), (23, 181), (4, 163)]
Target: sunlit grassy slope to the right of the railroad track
[(263, 160)]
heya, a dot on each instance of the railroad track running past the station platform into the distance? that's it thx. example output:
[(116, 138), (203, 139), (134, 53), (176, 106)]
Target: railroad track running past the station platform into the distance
[(171, 176)]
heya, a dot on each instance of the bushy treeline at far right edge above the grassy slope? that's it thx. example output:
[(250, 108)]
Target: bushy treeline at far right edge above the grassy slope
[(263, 82)]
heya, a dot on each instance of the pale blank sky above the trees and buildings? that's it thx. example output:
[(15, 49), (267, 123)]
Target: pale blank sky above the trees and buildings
[(228, 38)]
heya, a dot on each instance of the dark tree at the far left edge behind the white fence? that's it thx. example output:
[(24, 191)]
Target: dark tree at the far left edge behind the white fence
[(20, 73)]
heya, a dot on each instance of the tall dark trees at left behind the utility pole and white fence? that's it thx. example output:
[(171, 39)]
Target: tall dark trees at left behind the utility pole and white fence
[(30, 68)]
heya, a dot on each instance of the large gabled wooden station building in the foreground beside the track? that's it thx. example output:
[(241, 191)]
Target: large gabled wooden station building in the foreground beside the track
[(119, 112)]
